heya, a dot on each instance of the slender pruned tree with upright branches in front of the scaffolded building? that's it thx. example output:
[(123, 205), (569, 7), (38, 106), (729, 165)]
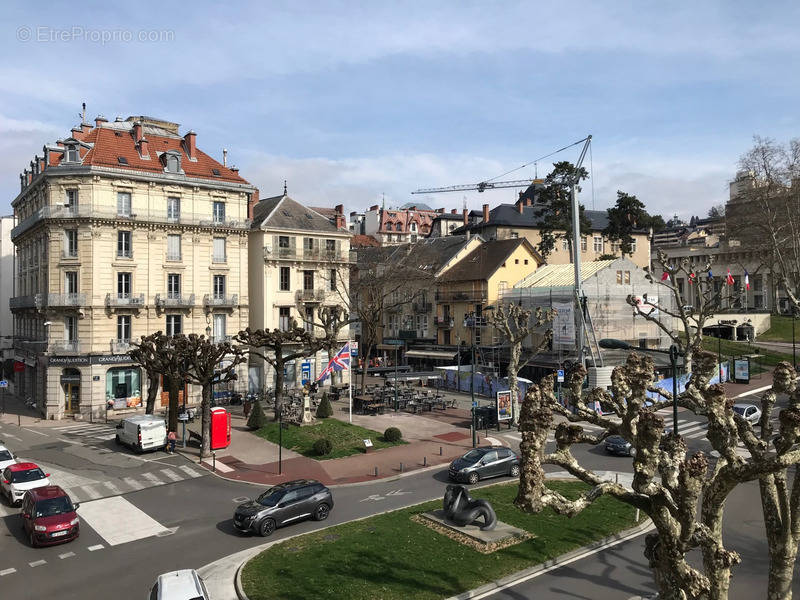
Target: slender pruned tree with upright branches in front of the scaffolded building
[(515, 325)]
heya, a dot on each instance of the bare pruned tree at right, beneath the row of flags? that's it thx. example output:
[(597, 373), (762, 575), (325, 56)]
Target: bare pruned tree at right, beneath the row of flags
[(686, 316)]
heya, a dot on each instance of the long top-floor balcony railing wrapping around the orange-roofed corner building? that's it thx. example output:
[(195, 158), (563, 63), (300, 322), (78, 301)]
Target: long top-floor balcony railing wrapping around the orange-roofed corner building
[(110, 212)]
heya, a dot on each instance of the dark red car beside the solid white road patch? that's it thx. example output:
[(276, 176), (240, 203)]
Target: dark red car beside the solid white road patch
[(48, 516)]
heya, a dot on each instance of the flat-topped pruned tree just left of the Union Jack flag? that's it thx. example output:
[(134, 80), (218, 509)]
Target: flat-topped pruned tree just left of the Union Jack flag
[(278, 347)]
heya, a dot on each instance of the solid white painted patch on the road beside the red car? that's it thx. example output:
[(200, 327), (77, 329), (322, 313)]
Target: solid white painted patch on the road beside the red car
[(105, 516)]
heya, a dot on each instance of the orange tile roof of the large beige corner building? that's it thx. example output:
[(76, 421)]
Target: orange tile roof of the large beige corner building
[(112, 143)]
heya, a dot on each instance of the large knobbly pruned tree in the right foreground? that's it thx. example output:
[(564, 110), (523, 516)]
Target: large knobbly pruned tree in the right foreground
[(682, 493)]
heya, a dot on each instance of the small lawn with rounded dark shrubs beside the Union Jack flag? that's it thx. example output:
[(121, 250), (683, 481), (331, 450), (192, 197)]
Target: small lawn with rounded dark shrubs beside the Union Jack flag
[(346, 438)]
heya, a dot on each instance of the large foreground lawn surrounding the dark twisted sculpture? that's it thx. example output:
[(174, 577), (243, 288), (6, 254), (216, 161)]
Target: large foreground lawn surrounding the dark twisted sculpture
[(391, 557)]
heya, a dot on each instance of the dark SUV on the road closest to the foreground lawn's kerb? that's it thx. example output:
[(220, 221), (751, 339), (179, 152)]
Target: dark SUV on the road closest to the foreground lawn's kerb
[(283, 504)]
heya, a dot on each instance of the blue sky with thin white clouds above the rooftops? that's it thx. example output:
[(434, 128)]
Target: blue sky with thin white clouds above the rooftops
[(359, 103)]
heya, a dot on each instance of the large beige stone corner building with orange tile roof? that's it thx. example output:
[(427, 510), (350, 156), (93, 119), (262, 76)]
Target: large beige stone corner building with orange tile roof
[(123, 228)]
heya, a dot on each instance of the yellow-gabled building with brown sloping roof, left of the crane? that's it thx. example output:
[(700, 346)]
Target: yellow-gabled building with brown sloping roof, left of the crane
[(467, 287)]
